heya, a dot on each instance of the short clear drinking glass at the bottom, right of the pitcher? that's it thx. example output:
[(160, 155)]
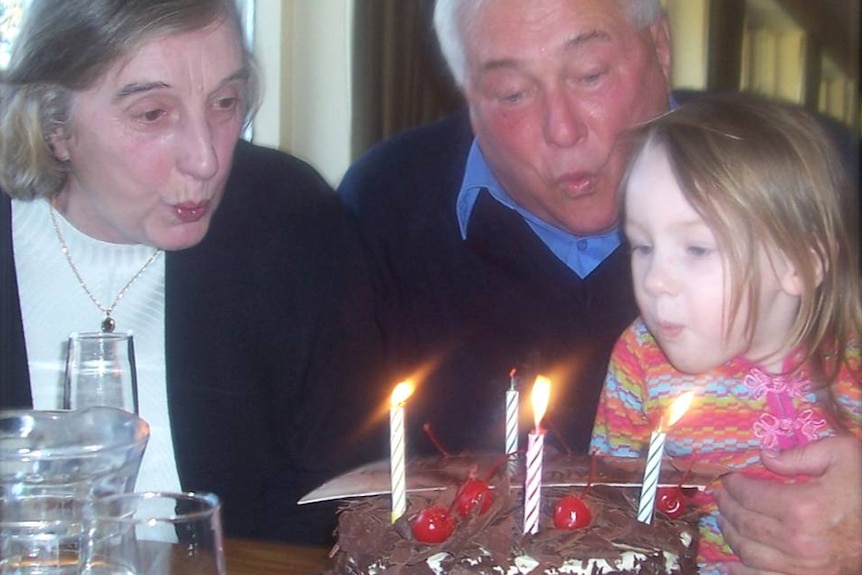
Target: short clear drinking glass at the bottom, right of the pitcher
[(154, 534)]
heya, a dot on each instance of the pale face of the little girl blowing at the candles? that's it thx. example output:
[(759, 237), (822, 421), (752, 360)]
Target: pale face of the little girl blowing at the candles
[(682, 280)]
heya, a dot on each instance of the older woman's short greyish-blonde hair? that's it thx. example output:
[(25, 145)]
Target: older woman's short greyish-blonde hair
[(65, 46)]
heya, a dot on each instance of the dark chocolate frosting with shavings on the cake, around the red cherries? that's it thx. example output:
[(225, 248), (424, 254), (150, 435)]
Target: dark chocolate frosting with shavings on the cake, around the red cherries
[(488, 543)]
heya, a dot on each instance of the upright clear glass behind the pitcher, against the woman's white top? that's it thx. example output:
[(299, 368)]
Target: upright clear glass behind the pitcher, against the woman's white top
[(100, 370)]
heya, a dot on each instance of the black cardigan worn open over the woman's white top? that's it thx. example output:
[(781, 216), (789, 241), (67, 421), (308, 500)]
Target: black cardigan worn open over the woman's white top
[(270, 336)]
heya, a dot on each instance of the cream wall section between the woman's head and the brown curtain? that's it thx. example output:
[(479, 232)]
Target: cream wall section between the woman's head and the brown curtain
[(304, 50)]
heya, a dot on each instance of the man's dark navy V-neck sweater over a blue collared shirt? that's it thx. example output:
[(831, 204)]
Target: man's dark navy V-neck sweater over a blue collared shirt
[(464, 313)]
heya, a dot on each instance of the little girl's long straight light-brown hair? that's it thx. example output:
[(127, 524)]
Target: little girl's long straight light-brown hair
[(766, 174)]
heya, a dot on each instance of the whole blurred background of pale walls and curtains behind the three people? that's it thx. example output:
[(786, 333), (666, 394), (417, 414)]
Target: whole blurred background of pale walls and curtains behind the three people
[(339, 75)]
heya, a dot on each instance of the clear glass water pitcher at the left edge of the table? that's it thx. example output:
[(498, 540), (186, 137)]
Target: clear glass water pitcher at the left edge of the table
[(51, 463)]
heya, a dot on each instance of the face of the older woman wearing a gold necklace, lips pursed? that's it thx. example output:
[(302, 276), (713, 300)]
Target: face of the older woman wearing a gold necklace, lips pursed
[(150, 145)]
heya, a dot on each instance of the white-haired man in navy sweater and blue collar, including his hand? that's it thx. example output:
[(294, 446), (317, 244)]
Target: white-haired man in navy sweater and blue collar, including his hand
[(496, 237)]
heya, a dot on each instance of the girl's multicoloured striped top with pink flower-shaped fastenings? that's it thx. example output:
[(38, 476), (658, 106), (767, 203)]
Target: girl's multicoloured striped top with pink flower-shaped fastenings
[(738, 410)]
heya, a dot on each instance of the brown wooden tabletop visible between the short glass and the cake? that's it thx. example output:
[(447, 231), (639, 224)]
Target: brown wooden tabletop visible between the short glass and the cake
[(245, 557)]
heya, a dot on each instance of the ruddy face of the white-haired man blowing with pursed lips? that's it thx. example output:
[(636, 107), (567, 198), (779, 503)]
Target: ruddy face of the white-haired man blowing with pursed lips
[(551, 85)]
